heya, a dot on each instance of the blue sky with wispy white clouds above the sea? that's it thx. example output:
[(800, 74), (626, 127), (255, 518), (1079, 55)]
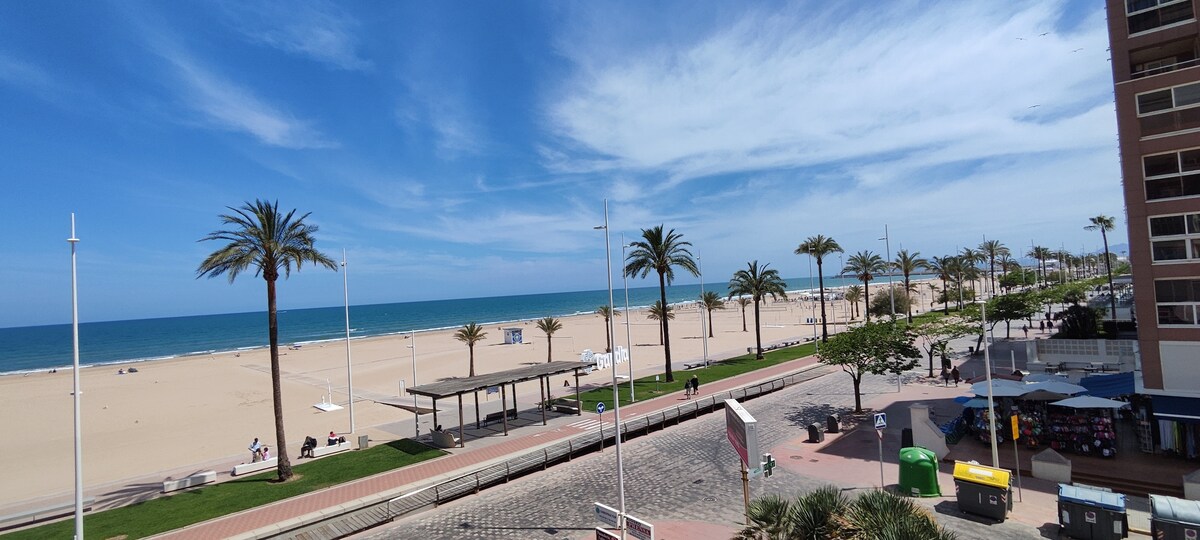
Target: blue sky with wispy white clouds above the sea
[(466, 149)]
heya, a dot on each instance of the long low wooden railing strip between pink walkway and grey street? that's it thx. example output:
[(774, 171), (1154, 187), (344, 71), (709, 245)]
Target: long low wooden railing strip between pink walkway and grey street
[(428, 497)]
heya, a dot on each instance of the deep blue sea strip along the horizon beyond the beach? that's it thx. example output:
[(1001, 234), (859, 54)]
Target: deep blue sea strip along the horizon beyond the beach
[(27, 350)]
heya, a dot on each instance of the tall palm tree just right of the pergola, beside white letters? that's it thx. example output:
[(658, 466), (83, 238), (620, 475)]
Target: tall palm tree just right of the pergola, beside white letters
[(661, 253)]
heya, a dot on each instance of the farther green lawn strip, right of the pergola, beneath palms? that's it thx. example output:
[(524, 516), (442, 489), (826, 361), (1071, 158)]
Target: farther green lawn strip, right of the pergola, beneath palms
[(646, 388)]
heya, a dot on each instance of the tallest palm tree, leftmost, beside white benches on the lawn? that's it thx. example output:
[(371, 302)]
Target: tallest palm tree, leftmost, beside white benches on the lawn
[(263, 239)]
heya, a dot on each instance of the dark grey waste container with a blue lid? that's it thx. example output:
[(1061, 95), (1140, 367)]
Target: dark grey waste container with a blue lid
[(1088, 513)]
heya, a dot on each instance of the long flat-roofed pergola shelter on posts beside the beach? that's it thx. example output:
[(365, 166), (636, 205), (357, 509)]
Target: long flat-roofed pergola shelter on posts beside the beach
[(460, 386)]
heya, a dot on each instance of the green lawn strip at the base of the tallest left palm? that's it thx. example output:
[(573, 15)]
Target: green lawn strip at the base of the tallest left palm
[(206, 503)]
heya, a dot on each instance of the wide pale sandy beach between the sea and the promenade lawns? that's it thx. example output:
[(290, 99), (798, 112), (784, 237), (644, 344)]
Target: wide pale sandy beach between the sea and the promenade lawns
[(177, 417)]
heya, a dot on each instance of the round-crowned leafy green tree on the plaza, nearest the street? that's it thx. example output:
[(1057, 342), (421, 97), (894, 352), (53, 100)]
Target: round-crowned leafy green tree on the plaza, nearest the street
[(872, 349)]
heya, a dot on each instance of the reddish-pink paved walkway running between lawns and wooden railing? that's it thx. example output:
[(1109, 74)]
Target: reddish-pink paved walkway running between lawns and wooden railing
[(286, 514)]
